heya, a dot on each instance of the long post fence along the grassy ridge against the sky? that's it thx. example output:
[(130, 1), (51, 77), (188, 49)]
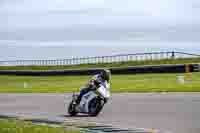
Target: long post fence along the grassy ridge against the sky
[(101, 59)]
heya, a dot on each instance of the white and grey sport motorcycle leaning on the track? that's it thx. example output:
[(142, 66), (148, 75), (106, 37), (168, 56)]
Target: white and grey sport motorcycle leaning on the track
[(92, 102)]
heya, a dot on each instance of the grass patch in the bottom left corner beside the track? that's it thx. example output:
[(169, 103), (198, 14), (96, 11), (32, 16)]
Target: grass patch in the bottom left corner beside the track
[(16, 126)]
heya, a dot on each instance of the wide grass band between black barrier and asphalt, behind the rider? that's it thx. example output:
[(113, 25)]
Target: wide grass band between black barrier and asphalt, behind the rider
[(119, 83)]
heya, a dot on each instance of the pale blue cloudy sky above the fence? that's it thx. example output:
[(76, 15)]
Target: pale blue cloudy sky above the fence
[(65, 28)]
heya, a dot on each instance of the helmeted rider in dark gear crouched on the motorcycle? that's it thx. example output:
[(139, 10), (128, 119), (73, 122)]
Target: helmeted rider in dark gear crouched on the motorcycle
[(94, 83)]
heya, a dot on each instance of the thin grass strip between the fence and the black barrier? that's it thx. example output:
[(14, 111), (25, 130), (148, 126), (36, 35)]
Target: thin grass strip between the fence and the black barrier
[(105, 65)]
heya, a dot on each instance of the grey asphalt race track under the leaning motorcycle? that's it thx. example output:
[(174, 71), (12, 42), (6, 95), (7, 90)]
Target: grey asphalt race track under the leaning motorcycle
[(171, 112)]
